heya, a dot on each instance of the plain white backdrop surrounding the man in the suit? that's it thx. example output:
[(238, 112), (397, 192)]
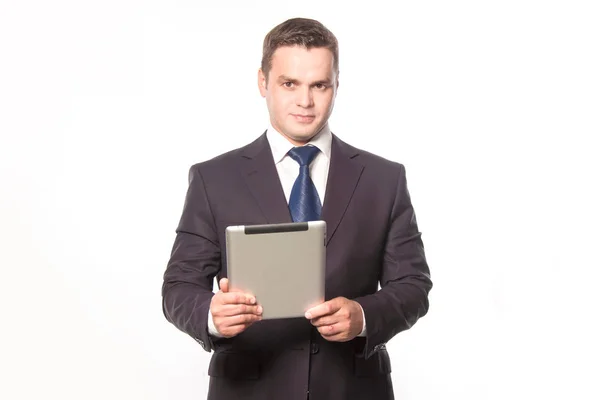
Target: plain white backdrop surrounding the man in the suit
[(493, 107)]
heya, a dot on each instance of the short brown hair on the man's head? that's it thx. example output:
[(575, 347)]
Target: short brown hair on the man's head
[(304, 32)]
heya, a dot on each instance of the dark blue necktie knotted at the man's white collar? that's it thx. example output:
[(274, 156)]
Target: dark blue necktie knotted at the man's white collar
[(305, 204)]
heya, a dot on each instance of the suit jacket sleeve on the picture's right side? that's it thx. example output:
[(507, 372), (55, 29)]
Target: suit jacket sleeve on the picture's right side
[(405, 277)]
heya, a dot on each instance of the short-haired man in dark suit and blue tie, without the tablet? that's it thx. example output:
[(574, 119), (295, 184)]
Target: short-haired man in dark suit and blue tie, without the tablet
[(338, 350)]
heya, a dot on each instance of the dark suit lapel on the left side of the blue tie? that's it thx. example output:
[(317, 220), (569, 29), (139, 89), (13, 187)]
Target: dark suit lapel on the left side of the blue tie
[(263, 181)]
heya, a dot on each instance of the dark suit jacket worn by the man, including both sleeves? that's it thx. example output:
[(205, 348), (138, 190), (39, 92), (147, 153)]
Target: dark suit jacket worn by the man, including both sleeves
[(372, 238)]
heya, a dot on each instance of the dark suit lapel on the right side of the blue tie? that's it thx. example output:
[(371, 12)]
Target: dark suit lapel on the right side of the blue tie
[(344, 174)]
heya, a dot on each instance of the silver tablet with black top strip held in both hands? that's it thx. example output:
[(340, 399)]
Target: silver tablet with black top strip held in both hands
[(282, 265)]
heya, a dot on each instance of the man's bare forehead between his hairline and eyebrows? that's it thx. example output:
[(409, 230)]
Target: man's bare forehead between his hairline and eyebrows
[(300, 62)]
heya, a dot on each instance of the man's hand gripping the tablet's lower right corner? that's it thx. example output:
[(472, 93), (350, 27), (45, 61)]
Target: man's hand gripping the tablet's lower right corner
[(337, 320)]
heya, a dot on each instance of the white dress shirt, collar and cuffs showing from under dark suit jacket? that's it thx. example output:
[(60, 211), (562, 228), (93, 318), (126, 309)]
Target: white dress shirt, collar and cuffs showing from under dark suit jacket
[(288, 170)]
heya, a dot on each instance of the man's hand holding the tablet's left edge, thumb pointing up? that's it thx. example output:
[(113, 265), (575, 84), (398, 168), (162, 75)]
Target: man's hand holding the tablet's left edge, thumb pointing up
[(233, 312)]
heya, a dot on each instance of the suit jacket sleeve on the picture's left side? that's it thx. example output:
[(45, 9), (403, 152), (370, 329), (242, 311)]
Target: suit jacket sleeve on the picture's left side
[(195, 260)]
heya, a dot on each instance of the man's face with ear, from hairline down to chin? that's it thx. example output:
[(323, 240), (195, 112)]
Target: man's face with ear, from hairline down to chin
[(300, 91)]
